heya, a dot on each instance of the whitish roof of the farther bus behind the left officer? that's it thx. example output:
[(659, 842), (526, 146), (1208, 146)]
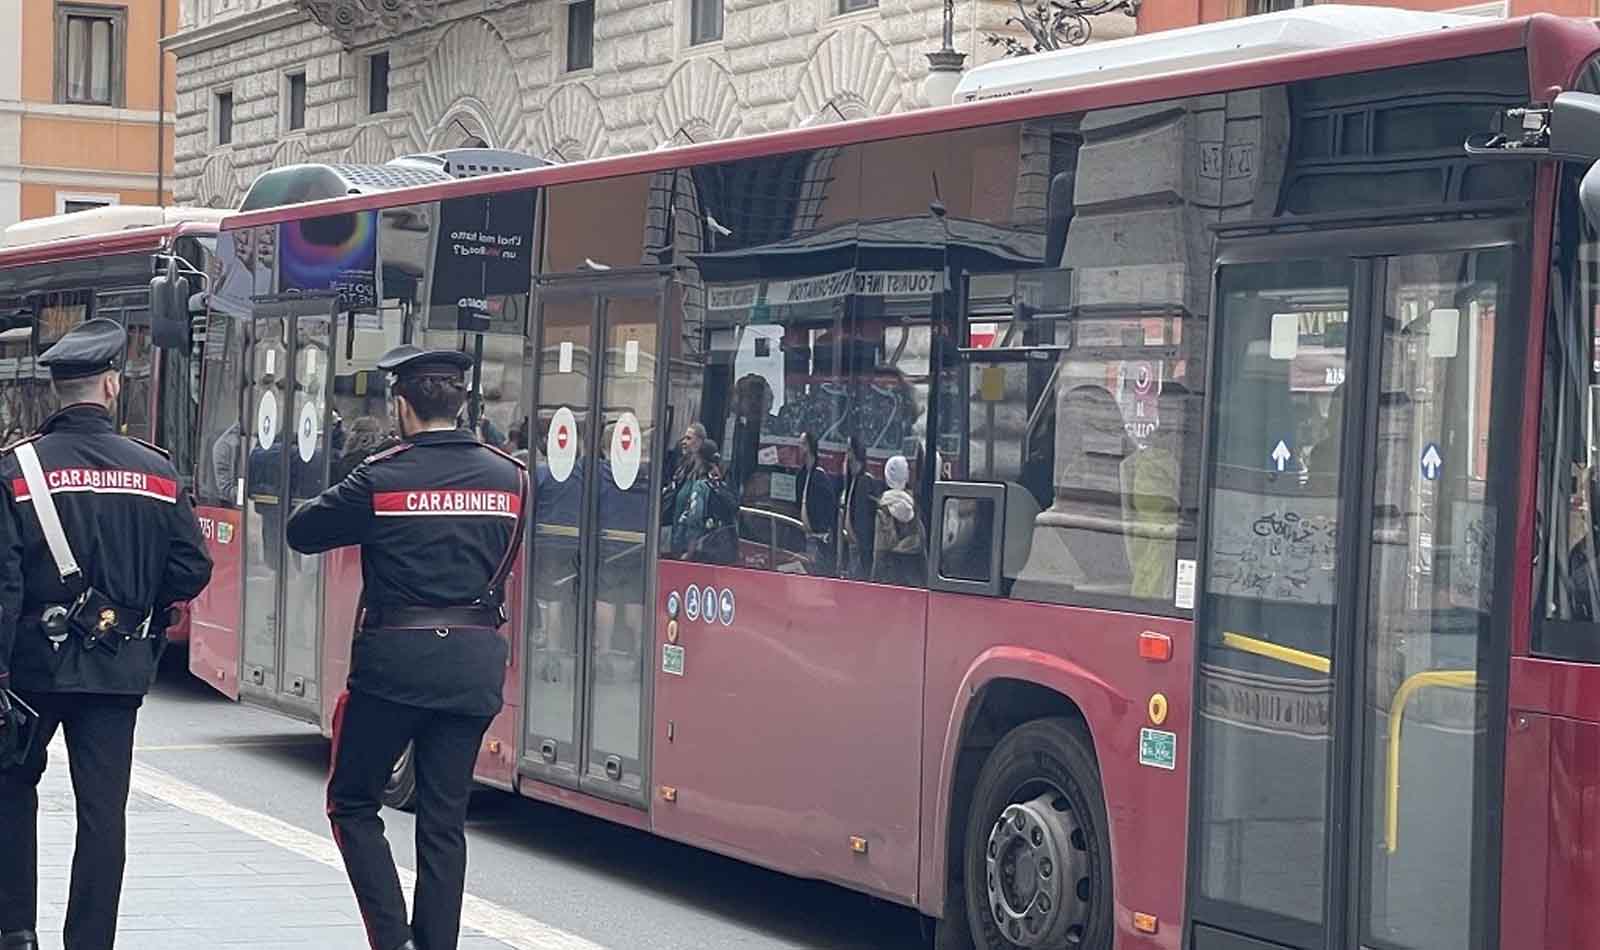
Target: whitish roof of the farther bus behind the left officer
[(114, 230)]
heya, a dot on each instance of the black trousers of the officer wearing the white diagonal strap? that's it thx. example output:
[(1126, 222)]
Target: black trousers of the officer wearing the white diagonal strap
[(100, 756)]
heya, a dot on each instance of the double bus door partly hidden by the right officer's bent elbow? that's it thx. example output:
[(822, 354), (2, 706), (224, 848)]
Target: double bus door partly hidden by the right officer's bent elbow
[(287, 388)]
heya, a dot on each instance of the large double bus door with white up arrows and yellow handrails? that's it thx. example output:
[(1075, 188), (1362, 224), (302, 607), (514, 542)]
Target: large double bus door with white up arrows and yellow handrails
[(1353, 615)]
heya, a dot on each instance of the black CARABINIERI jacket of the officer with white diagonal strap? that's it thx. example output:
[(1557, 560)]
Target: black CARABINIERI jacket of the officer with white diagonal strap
[(134, 533)]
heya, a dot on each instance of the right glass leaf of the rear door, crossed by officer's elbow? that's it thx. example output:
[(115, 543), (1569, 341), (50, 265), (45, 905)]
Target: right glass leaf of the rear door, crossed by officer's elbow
[(310, 449)]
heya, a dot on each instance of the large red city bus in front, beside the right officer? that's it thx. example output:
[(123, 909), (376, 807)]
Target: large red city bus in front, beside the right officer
[(1156, 497)]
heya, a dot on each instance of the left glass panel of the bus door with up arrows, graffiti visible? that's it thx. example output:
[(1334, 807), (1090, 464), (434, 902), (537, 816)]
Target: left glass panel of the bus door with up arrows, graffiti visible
[(1268, 629)]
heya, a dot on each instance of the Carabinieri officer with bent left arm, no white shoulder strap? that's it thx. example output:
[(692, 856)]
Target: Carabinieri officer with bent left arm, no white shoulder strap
[(439, 519)]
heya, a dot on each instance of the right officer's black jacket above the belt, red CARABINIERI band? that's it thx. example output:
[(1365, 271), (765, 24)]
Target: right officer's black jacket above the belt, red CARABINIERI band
[(434, 517)]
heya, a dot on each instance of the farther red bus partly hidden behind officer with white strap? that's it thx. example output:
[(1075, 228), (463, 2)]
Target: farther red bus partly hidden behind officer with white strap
[(55, 273)]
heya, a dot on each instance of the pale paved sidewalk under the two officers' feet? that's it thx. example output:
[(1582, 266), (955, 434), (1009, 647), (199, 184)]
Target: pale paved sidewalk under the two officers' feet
[(206, 874)]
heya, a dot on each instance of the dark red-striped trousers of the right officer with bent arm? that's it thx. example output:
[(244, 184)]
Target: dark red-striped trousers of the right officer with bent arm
[(369, 736)]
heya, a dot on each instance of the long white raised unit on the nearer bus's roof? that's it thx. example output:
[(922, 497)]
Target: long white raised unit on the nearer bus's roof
[(1210, 46)]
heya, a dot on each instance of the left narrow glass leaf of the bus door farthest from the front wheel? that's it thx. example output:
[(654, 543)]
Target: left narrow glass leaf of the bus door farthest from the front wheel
[(268, 405)]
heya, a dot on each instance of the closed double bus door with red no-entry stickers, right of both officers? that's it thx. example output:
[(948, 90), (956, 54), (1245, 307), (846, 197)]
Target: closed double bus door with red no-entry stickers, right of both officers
[(593, 545)]
